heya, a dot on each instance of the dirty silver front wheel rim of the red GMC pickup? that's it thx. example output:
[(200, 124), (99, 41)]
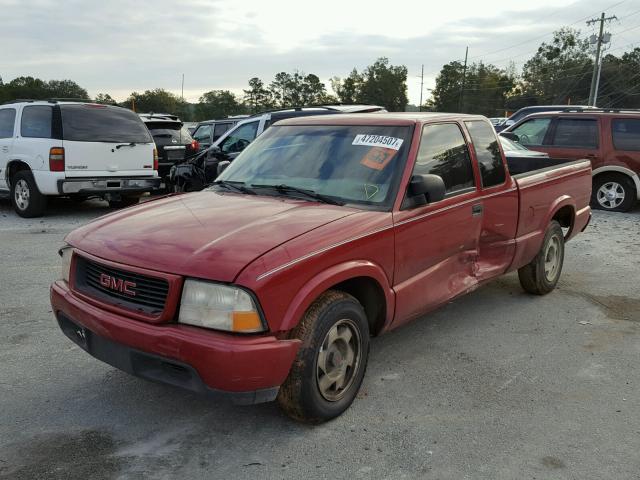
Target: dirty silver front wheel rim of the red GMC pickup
[(338, 360)]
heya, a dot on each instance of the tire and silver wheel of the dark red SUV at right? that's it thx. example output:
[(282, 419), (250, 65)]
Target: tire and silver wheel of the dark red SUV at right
[(613, 192)]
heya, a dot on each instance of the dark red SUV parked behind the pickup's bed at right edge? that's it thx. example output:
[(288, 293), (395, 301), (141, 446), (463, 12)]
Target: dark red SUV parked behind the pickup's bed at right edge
[(610, 139)]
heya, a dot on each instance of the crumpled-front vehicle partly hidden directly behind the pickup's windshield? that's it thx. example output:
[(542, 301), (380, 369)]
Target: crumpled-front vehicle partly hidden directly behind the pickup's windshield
[(195, 174)]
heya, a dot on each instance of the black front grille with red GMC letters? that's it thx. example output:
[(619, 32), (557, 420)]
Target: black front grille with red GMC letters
[(150, 293)]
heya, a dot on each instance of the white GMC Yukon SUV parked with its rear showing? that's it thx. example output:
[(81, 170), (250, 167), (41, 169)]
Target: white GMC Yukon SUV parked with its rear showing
[(58, 148)]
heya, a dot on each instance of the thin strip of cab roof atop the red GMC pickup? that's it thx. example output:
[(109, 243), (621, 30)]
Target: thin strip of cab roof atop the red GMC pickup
[(400, 118)]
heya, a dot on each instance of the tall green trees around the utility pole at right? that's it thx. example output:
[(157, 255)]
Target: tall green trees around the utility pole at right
[(558, 73)]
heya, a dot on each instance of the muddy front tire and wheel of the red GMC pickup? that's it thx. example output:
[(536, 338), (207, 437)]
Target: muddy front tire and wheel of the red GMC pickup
[(321, 384)]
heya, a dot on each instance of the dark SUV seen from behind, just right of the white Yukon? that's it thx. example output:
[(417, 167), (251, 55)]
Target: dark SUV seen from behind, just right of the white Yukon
[(173, 141)]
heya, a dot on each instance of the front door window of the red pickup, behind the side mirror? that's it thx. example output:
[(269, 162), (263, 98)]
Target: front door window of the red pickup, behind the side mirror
[(444, 152)]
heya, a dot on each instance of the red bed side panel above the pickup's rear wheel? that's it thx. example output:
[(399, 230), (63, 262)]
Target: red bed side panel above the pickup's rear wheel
[(539, 191)]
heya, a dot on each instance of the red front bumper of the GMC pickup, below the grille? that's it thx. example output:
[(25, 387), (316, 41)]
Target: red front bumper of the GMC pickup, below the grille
[(243, 369)]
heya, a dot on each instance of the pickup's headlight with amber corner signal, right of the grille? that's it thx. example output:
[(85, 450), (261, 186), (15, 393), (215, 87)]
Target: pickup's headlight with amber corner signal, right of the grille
[(212, 305)]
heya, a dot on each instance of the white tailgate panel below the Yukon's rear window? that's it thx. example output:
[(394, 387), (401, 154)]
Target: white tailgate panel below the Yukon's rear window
[(98, 159)]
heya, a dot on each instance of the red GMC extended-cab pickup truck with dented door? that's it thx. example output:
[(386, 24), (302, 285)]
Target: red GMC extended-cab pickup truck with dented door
[(323, 232)]
